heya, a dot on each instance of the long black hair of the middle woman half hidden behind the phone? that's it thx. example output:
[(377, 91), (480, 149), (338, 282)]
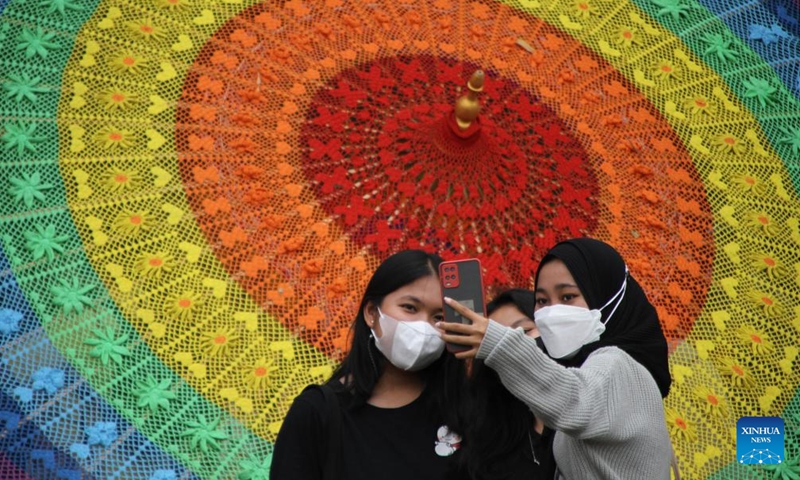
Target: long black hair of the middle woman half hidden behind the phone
[(497, 423)]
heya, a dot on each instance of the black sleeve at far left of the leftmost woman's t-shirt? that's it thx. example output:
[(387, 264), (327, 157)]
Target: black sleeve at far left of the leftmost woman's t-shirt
[(302, 442)]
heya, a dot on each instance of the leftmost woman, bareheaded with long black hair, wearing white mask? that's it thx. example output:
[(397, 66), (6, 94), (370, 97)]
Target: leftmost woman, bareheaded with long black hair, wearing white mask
[(396, 393)]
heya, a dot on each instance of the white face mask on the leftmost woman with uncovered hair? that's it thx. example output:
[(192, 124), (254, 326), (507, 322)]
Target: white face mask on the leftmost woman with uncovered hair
[(410, 345)]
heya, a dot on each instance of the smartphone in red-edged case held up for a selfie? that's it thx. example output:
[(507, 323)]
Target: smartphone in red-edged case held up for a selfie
[(462, 281)]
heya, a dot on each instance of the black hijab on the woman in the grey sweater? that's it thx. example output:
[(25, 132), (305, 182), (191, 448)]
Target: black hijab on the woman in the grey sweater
[(599, 272)]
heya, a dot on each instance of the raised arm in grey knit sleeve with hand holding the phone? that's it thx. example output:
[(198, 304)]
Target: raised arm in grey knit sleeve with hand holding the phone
[(599, 399)]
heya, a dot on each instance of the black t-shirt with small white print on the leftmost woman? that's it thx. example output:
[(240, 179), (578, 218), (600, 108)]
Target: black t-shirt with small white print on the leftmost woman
[(395, 443)]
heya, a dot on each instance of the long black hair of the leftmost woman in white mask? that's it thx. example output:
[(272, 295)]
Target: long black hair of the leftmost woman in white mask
[(364, 364)]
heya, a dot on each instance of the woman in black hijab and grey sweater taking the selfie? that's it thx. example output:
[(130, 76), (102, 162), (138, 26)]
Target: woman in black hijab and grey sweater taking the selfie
[(601, 376)]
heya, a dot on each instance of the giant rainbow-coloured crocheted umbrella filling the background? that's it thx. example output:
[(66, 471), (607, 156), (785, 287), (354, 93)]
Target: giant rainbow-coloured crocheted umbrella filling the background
[(193, 194)]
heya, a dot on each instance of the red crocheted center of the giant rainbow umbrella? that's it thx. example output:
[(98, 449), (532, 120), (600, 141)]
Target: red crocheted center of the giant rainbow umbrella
[(384, 162)]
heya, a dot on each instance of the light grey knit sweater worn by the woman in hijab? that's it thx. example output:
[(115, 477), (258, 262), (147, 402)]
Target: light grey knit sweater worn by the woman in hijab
[(608, 414)]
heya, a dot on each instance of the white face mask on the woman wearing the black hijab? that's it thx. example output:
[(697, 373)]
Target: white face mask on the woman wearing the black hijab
[(565, 329)]
